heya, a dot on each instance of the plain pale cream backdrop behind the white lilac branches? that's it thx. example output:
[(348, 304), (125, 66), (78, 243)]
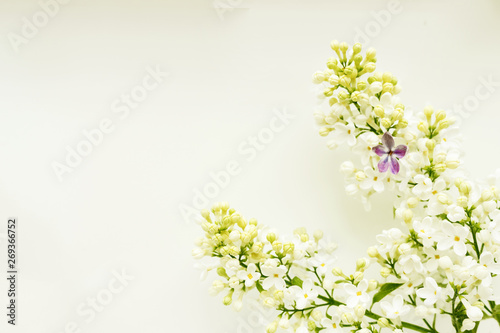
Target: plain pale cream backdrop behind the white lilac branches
[(119, 209)]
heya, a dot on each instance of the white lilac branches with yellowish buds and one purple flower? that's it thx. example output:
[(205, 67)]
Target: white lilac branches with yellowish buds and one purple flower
[(435, 273)]
